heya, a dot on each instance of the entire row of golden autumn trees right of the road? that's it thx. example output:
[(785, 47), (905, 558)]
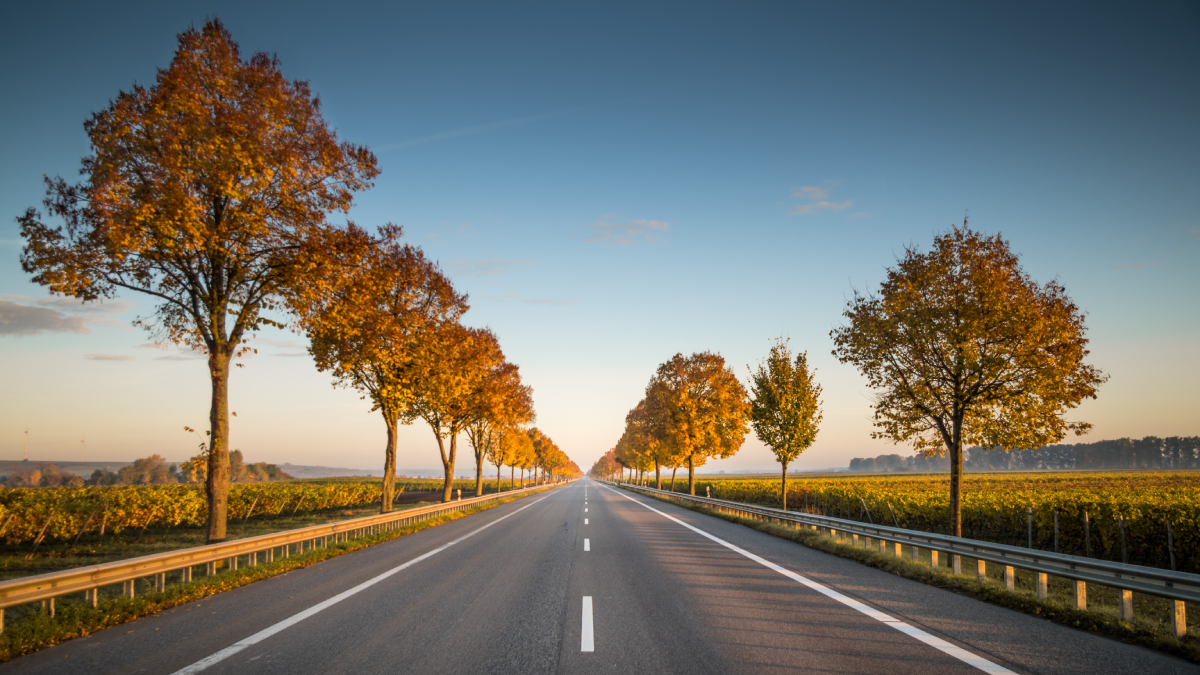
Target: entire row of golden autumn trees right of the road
[(961, 345)]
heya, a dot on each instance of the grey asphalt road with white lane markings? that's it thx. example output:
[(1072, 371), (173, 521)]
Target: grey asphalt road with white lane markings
[(589, 580)]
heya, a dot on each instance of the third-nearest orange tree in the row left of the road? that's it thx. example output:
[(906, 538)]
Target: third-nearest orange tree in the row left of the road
[(448, 375)]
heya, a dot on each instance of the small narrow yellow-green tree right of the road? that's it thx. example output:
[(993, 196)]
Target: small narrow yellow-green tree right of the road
[(785, 405)]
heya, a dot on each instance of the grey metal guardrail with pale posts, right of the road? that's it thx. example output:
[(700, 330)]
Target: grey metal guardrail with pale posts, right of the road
[(1177, 587)]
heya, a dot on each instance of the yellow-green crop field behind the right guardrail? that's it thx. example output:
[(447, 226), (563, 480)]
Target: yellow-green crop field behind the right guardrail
[(1111, 516)]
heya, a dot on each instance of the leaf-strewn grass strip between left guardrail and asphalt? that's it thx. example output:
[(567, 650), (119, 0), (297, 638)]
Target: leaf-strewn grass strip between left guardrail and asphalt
[(34, 630)]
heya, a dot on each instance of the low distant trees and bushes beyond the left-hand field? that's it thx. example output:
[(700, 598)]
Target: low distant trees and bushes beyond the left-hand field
[(153, 470)]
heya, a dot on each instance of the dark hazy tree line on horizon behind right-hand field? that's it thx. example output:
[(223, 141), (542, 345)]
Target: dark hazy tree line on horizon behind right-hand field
[(1177, 452)]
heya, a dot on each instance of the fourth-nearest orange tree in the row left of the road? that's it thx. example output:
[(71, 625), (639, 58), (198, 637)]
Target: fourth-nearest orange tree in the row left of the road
[(501, 403)]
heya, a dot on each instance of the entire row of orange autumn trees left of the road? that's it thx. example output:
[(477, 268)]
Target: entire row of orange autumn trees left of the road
[(212, 193)]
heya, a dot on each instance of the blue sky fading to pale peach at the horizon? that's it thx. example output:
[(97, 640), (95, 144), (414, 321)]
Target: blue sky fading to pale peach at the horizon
[(617, 183)]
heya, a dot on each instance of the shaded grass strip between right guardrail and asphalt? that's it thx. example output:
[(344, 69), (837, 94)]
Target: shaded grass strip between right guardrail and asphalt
[(1103, 620)]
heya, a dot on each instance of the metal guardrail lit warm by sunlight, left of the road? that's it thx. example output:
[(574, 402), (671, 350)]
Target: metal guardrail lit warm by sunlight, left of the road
[(46, 588)]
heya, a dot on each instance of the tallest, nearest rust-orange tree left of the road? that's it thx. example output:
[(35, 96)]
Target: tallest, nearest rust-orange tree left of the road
[(209, 193)]
